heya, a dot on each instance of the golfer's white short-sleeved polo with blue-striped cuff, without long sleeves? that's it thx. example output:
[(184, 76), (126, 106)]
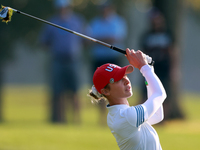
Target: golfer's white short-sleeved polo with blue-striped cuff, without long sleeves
[(130, 129)]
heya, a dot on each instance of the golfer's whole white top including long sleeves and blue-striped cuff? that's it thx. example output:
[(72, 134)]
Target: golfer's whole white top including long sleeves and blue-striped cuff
[(131, 126)]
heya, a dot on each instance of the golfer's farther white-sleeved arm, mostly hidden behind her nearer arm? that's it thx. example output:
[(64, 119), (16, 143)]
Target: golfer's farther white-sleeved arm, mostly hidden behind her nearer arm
[(159, 115)]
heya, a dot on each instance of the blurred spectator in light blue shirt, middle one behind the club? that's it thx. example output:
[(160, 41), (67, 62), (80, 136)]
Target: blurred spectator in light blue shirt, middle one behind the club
[(110, 28)]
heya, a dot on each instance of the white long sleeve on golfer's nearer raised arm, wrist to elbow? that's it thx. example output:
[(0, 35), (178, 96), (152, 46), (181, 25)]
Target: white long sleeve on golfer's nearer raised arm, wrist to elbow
[(158, 94)]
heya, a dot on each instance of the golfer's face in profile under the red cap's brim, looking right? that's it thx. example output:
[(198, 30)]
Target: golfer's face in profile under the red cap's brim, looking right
[(121, 88)]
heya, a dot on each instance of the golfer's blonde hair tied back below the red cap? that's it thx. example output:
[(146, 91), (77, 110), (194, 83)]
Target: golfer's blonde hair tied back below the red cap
[(95, 96)]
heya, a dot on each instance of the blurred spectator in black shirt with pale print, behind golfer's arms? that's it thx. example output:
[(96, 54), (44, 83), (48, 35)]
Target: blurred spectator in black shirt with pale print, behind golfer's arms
[(158, 43)]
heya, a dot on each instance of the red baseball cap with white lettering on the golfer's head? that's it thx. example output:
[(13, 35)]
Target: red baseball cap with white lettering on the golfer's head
[(109, 73)]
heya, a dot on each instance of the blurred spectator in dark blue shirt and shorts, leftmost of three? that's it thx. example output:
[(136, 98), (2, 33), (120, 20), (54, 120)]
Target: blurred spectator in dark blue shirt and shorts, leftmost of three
[(65, 49)]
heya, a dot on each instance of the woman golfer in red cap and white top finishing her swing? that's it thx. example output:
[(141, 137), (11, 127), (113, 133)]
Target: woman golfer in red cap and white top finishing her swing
[(130, 125)]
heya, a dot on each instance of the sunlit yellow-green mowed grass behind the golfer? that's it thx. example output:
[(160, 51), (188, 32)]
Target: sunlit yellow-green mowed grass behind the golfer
[(26, 125)]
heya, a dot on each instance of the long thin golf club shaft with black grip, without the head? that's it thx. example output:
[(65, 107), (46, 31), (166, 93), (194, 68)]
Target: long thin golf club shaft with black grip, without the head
[(74, 32)]
